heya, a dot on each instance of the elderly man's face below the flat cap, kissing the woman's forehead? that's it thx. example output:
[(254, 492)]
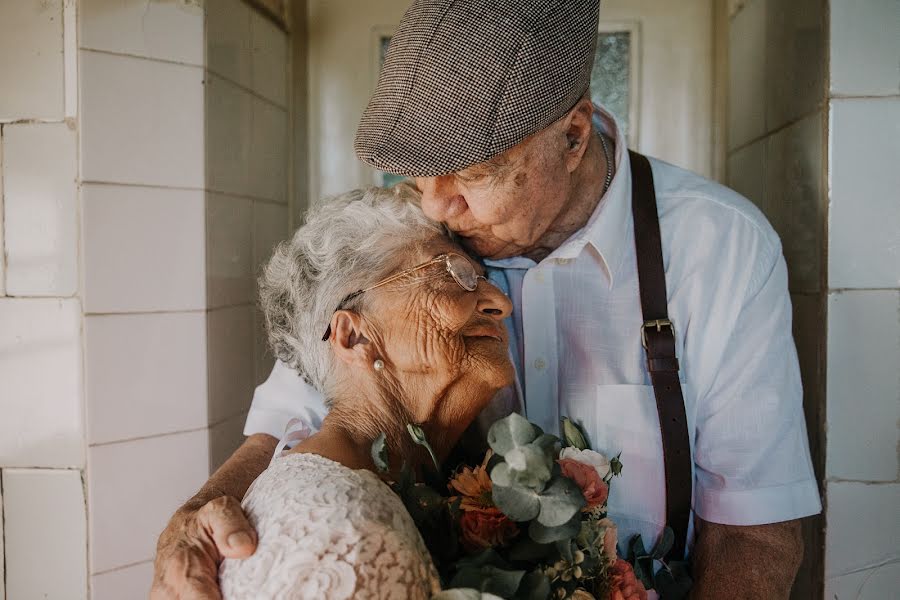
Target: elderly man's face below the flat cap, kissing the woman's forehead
[(502, 207)]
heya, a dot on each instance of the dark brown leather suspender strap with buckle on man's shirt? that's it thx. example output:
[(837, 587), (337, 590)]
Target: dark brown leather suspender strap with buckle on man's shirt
[(658, 339)]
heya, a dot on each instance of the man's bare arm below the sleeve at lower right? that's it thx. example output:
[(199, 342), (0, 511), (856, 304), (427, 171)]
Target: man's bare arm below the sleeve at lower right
[(736, 562)]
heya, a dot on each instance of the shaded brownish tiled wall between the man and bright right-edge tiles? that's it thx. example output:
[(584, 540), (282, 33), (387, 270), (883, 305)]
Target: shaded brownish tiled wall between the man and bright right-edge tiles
[(776, 154)]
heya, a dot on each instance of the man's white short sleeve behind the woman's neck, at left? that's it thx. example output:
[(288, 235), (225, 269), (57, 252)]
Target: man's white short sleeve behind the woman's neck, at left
[(280, 398)]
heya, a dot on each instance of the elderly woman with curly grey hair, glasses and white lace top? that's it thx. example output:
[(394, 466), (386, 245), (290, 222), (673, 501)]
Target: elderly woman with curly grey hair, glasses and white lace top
[(412, 334)]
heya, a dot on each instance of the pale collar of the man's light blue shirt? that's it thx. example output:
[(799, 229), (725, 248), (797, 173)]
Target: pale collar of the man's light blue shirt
[(608, 228)]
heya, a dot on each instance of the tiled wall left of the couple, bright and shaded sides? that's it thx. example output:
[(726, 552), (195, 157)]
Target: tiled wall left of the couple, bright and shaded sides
[(143, 155)]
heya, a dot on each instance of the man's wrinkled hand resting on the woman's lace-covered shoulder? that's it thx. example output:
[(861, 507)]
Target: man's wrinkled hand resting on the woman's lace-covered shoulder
[(194, 543)]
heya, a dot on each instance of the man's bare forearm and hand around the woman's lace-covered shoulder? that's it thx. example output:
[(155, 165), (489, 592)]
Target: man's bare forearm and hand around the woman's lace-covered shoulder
[(209, 527)]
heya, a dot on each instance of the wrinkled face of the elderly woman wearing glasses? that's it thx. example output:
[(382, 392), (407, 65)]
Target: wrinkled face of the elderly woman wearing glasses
[(425, 324)]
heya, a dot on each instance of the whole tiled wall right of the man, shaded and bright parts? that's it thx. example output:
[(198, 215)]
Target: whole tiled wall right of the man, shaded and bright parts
[(814, 141)]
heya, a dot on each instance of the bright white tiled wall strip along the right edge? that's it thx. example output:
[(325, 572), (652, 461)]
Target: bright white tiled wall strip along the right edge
[(862, 559)]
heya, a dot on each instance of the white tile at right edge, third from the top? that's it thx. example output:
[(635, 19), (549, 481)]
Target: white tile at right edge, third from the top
[(862, 407)]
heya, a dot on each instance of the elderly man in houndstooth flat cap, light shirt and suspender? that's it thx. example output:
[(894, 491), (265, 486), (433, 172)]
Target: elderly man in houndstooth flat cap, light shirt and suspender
[(484, 104)]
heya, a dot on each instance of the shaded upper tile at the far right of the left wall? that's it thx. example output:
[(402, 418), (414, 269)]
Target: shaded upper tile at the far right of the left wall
[(270, 59)]
